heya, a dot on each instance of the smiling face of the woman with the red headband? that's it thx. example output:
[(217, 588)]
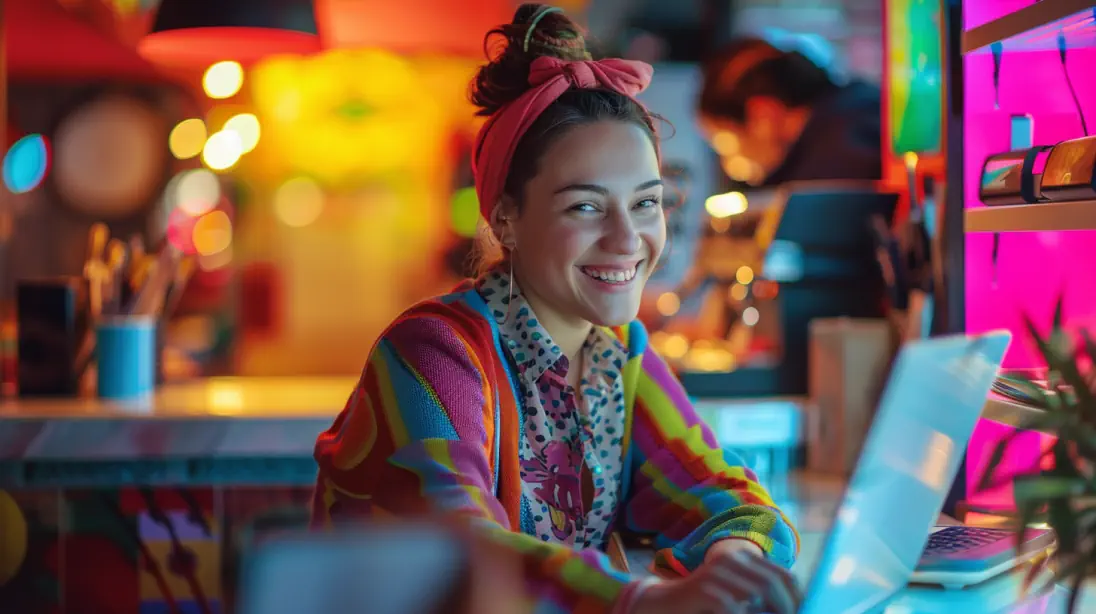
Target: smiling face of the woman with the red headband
[(591, 228)]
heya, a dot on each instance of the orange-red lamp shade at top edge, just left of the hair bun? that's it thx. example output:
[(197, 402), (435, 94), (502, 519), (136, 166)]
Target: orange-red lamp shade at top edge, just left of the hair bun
[(412, 27)]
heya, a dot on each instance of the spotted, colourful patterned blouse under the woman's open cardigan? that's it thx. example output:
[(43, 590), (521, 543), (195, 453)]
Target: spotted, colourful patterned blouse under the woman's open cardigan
[(565, 433)]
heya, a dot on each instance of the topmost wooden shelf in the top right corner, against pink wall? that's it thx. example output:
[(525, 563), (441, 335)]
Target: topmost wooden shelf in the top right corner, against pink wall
[(1036, 28)]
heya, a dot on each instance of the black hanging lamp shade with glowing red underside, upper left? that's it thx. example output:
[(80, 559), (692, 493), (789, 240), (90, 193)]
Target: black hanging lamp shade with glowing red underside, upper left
[(197, 33)]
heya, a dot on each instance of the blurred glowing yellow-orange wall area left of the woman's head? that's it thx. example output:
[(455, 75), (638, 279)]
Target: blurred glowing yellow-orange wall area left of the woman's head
[(349, 196)]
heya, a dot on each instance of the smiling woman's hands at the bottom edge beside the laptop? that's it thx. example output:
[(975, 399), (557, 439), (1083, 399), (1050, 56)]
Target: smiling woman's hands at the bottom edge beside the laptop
[(730, 582)]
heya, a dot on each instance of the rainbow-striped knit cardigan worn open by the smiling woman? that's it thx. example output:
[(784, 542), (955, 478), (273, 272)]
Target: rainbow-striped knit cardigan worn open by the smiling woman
[(433, 427)]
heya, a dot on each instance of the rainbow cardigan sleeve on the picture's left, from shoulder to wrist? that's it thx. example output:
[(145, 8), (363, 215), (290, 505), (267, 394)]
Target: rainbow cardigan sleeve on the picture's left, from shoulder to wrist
[(415, 439)]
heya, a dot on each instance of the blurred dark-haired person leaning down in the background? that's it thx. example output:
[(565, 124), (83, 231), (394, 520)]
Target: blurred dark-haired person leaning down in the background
[(777, 111)]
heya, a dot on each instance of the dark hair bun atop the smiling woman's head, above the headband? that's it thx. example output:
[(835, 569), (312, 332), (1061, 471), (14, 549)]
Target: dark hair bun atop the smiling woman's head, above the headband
[(506, 76)]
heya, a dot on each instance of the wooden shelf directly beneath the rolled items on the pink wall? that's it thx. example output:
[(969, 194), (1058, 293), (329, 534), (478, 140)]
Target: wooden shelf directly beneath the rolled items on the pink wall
[(1079, 215)]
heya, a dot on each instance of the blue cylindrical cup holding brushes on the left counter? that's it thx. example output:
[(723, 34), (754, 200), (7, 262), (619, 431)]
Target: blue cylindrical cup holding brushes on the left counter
[(125, 349)]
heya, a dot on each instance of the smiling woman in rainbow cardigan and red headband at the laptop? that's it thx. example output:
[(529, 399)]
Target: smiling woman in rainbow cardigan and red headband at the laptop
[(530, 401)]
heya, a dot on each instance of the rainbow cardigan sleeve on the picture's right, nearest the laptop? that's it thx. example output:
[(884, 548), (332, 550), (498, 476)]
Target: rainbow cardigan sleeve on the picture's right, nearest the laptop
[(687, 492)]
